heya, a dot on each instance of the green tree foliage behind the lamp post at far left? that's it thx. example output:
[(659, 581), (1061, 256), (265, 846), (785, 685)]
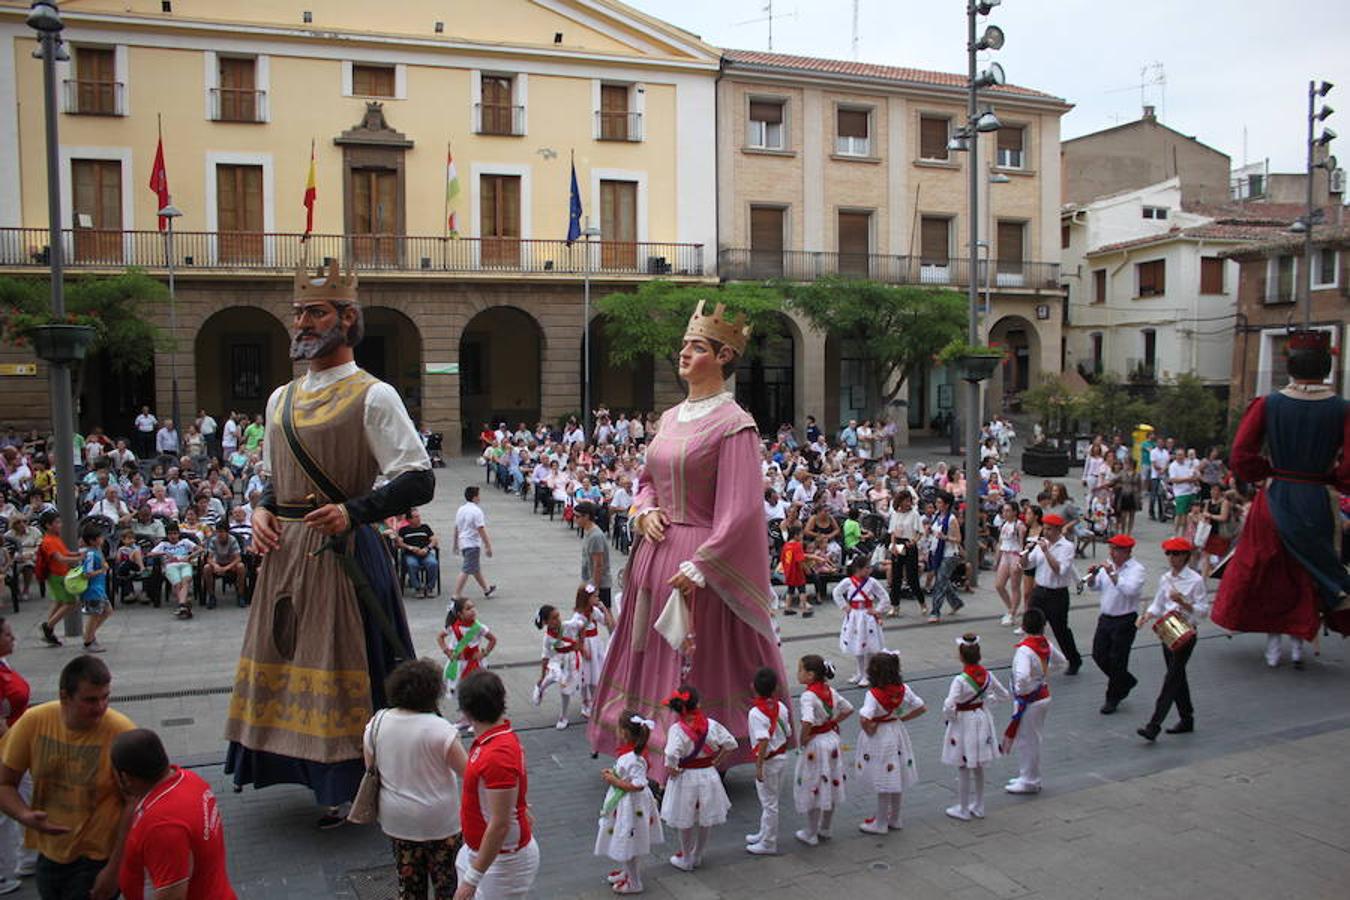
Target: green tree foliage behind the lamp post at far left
[(117, 307)]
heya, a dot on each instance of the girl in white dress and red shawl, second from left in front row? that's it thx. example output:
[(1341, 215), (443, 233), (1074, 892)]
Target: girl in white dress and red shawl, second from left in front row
[(696, 799)]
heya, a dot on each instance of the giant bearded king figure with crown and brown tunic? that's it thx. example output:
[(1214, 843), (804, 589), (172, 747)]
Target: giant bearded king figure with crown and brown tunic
[(327, 623)]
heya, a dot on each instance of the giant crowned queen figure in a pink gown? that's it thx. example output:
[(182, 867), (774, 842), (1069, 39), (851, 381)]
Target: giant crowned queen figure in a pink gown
[(696, 604)]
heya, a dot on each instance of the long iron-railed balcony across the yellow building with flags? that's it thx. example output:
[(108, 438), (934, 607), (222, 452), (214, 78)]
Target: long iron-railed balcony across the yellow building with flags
[(26, 249)]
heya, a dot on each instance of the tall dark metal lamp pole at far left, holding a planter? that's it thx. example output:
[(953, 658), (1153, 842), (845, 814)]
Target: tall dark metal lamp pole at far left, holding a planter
[(63, 404)]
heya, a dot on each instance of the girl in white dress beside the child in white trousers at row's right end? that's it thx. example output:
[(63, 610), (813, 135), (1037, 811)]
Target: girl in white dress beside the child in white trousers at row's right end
[(970, 743)]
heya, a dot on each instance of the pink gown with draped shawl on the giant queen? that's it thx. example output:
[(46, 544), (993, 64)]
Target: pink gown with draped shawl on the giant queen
[(705, 474)]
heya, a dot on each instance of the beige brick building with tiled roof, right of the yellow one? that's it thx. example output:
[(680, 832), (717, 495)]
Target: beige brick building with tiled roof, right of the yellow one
[(843, 168)]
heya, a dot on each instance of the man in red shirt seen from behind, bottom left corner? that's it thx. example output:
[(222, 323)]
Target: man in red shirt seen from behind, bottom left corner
[(176, 840)]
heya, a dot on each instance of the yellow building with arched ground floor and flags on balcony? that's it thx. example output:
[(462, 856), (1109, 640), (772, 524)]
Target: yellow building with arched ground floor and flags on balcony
[(481, 325)]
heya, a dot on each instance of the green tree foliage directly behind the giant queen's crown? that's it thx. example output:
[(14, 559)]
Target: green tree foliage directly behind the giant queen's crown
[(651, 320)]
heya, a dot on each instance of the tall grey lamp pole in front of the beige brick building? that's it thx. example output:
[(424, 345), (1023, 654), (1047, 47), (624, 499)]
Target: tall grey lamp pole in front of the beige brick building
[(973, 391)]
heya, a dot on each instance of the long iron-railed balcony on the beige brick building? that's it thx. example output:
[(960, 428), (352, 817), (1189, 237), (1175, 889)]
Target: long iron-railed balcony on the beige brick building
[(807, 266)]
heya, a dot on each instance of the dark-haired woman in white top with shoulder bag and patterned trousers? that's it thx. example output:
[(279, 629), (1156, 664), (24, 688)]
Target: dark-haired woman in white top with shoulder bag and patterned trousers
[(414, 762)]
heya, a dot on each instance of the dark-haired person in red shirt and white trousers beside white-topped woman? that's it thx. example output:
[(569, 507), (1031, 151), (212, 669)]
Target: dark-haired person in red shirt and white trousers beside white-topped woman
[(500, 857)]
